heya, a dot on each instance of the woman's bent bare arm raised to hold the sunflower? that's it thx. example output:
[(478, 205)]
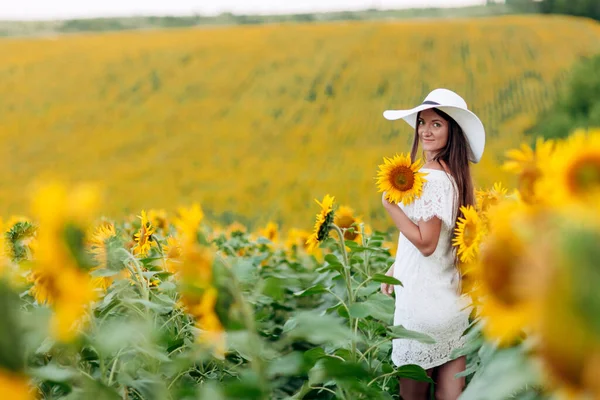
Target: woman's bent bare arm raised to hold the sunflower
[(423, 236)]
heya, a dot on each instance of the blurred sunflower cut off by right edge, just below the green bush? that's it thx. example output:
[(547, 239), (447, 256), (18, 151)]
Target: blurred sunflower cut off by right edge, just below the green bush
[(573, 176)]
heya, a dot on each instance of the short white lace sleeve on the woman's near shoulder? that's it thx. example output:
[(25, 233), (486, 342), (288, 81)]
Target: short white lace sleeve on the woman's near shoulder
[(437, 200)]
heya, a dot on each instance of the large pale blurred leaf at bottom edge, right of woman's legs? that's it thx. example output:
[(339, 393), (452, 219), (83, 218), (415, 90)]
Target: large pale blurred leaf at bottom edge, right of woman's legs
[(516, 371)]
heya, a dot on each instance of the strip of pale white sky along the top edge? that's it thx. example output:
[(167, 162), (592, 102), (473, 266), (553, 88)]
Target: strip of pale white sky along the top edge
[(60, 9)]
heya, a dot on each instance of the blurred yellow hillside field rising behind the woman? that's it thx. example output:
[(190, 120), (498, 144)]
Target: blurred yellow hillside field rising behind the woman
[(254, 122)]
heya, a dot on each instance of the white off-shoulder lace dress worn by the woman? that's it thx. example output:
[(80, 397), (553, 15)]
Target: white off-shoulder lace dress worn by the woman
[(429, 300)]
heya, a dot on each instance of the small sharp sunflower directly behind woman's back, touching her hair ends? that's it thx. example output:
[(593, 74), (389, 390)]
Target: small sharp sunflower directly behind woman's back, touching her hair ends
[(468, 234)]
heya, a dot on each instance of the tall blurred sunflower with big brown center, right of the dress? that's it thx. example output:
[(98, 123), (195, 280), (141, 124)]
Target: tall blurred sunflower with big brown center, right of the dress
[(506, 302)]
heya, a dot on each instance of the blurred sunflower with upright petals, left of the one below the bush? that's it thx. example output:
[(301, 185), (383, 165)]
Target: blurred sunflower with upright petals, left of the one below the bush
[(528, 164)]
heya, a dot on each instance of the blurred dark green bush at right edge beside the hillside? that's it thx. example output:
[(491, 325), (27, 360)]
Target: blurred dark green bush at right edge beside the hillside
[(578, 106)]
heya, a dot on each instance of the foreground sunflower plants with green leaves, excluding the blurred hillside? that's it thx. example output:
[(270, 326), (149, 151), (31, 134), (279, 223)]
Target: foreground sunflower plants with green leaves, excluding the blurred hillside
[(164, 306)]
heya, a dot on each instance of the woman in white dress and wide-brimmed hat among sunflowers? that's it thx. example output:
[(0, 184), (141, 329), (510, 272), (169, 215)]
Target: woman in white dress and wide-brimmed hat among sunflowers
[(429, 300)]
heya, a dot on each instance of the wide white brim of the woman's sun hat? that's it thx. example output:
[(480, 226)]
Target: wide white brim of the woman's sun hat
[(467, 120)]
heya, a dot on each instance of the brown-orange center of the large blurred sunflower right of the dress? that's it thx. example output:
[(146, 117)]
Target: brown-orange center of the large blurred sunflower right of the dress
[(499, 263)]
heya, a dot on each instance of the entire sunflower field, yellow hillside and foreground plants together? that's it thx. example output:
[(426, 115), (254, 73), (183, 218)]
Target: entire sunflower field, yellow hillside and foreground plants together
[(188, 215)]
